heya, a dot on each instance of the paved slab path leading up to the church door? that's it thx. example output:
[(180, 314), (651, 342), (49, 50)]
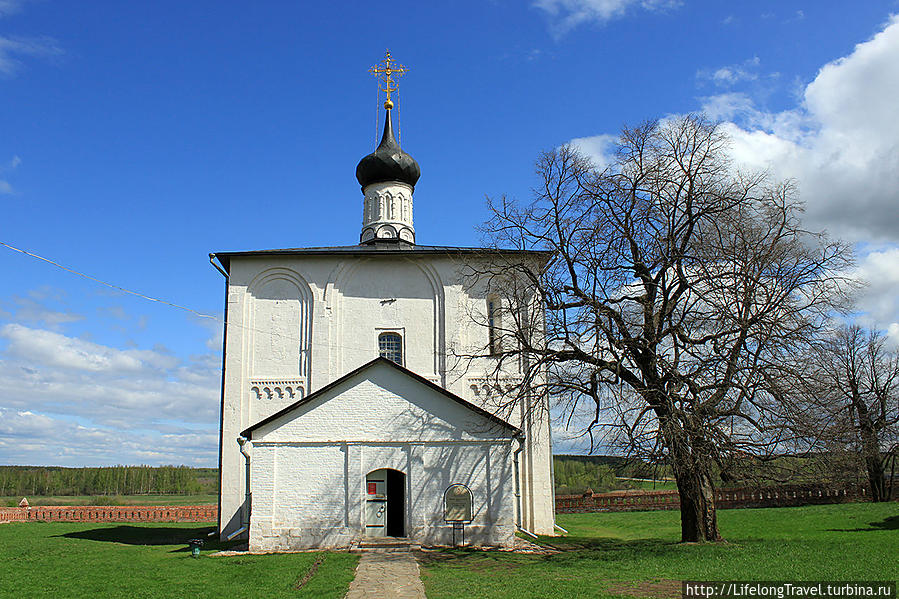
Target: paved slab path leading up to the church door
[(392, 575)]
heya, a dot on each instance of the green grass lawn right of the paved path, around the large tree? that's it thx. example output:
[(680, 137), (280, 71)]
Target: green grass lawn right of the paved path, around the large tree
[(627, 554)]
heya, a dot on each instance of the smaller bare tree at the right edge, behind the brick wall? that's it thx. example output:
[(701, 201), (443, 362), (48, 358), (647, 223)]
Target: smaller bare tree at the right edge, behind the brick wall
[(853, 392)]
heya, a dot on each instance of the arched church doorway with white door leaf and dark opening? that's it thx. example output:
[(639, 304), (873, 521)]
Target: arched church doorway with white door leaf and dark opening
[(385, 503)]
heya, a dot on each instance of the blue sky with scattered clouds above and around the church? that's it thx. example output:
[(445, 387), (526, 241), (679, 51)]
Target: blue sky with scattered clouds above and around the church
[(135, 138)]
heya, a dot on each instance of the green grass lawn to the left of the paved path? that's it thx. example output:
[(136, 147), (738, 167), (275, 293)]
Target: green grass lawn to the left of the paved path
[(144, 561)]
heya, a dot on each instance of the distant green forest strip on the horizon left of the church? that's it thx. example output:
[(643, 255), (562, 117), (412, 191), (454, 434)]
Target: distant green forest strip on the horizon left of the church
[(113, 480)]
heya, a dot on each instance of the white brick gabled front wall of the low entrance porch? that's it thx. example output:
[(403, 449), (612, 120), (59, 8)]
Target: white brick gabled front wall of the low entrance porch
[(309, 467)]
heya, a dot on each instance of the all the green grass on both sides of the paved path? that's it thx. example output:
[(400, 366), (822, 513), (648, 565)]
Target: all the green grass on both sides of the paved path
[(633, 554)]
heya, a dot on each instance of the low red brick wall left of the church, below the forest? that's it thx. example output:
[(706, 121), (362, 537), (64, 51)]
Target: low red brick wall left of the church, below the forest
[(89, 513)]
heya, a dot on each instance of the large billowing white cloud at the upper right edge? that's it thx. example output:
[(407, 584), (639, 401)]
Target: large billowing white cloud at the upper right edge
[(841, 144)]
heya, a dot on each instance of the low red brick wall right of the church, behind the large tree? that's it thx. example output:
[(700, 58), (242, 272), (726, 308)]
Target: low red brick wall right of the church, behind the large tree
[(782, 496)]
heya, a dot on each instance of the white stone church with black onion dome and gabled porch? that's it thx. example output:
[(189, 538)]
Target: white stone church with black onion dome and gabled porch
[(345, 413)]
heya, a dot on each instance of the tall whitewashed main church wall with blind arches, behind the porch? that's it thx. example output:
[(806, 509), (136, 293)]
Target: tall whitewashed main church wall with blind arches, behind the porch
[(334, 306)]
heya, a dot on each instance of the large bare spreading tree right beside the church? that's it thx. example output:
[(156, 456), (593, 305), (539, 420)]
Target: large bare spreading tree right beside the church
[(674, 289)]
